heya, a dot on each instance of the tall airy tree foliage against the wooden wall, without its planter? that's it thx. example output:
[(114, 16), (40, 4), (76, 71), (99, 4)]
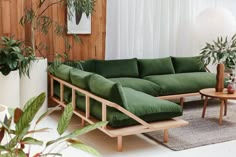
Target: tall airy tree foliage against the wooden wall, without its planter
[(40, 22)]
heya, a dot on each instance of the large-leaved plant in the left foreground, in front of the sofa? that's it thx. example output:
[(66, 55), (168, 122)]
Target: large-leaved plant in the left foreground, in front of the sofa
[(17, 130)]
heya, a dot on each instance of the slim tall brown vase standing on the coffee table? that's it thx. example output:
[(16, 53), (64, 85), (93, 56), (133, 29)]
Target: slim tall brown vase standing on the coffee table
[(220, 78)]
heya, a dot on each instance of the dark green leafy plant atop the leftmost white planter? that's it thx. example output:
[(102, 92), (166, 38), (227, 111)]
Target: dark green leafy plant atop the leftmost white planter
[(14, 55)]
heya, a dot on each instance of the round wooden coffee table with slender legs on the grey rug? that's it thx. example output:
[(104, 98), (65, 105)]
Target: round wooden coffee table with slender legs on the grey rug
[(222, 96)]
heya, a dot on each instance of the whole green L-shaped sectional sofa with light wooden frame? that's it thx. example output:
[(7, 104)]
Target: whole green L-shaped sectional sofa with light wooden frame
[(125, 92)]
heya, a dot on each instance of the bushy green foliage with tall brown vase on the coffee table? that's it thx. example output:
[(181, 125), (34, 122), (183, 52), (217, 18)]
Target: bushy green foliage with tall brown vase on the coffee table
[(223, 53)]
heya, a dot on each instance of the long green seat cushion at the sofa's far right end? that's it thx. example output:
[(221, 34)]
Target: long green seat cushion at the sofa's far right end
[(183, 82)]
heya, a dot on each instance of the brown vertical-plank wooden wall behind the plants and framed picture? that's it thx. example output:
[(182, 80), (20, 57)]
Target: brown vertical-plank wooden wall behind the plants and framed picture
[(92, 46)]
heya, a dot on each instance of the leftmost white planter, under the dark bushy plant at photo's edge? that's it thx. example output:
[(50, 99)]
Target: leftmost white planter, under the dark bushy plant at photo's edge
[(10, 89)]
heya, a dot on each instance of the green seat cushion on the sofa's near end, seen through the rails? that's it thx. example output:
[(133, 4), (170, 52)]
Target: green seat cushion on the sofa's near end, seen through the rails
[(144, 106)]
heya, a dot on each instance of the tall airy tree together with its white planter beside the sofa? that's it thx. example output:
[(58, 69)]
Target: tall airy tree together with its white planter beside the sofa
[(40, 23)]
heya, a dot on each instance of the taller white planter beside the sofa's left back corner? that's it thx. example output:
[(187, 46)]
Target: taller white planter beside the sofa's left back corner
[(36, 84)]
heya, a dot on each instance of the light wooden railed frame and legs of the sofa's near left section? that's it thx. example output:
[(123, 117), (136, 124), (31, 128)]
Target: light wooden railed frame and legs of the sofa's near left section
[(118, 133)]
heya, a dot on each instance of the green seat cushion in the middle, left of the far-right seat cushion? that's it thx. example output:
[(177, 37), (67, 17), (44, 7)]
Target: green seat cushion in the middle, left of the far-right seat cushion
[(141, 85)]
